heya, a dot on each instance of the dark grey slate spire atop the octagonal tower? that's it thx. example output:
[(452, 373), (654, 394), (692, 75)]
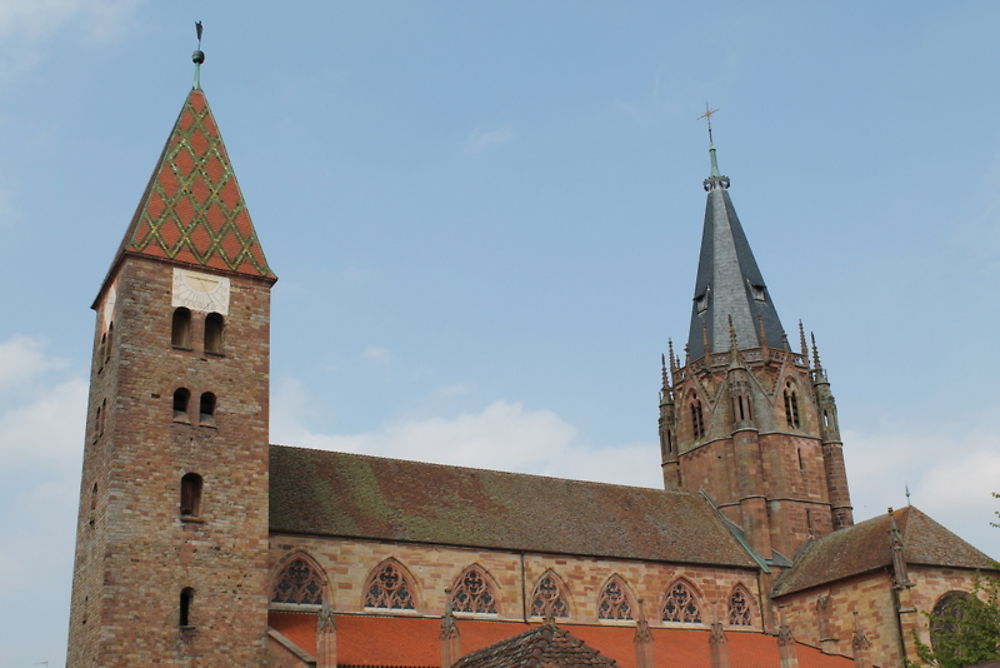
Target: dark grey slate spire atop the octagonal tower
[(729, 284)]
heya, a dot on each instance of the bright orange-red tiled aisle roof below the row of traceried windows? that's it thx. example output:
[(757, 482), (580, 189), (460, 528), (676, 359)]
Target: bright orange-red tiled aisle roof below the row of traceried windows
[(369, 640)]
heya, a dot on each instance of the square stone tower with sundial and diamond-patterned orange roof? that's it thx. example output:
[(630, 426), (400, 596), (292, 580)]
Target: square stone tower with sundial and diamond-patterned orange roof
[(171, 552)]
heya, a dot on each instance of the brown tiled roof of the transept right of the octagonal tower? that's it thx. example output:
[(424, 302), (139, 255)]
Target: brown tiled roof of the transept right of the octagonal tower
[(865, 547)]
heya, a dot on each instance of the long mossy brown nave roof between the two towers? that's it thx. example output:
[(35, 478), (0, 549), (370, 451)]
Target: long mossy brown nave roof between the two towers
[(351, 495)]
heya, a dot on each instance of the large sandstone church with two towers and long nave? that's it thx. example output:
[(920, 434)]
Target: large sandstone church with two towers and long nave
[(199, 543)]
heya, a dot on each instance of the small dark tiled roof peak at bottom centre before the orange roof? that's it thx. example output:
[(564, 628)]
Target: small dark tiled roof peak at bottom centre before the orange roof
[(546, 645)]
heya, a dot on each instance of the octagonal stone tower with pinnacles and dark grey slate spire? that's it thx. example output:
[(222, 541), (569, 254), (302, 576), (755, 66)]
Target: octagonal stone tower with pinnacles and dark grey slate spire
[(745, 418)]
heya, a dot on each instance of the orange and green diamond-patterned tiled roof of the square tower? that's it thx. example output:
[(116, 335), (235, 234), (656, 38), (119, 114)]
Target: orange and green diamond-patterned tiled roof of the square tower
[(193, 211)]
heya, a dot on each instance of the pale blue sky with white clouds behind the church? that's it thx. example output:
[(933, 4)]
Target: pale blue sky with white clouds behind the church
[(486, 217)]
